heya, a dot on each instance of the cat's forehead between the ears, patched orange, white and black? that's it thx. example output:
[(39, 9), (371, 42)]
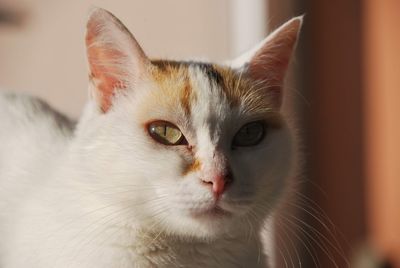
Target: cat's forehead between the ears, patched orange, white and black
[(205, 88)]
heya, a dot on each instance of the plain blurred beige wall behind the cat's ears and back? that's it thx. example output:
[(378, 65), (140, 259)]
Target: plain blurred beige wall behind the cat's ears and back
[(46, 56)]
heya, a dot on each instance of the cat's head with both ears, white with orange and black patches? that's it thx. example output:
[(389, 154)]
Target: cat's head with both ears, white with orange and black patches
[(191, 148)]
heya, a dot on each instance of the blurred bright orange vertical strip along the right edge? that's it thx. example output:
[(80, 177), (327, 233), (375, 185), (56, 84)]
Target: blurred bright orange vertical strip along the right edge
[(382, 122)]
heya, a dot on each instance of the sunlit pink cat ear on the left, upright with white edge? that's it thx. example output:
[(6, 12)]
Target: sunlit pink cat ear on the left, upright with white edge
[(116, 60)]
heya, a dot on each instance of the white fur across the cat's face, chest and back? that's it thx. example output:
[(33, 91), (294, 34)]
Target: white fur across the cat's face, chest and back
[(104, 194)]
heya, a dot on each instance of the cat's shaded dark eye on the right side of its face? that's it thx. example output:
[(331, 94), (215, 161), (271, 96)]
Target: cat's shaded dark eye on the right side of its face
[(250, 134)]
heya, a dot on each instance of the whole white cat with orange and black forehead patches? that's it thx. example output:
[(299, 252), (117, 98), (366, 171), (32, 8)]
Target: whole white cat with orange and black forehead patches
[(172, 164)]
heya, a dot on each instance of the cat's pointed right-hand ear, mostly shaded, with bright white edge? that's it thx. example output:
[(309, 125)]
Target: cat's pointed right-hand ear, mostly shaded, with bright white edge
[(268, 61)]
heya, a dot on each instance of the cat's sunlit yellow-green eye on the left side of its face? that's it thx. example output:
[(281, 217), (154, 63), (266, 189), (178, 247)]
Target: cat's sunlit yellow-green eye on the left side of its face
[(166, 133)]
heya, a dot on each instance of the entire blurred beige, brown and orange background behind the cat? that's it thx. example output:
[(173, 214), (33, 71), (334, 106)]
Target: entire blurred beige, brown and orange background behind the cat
[(344, 92)]
